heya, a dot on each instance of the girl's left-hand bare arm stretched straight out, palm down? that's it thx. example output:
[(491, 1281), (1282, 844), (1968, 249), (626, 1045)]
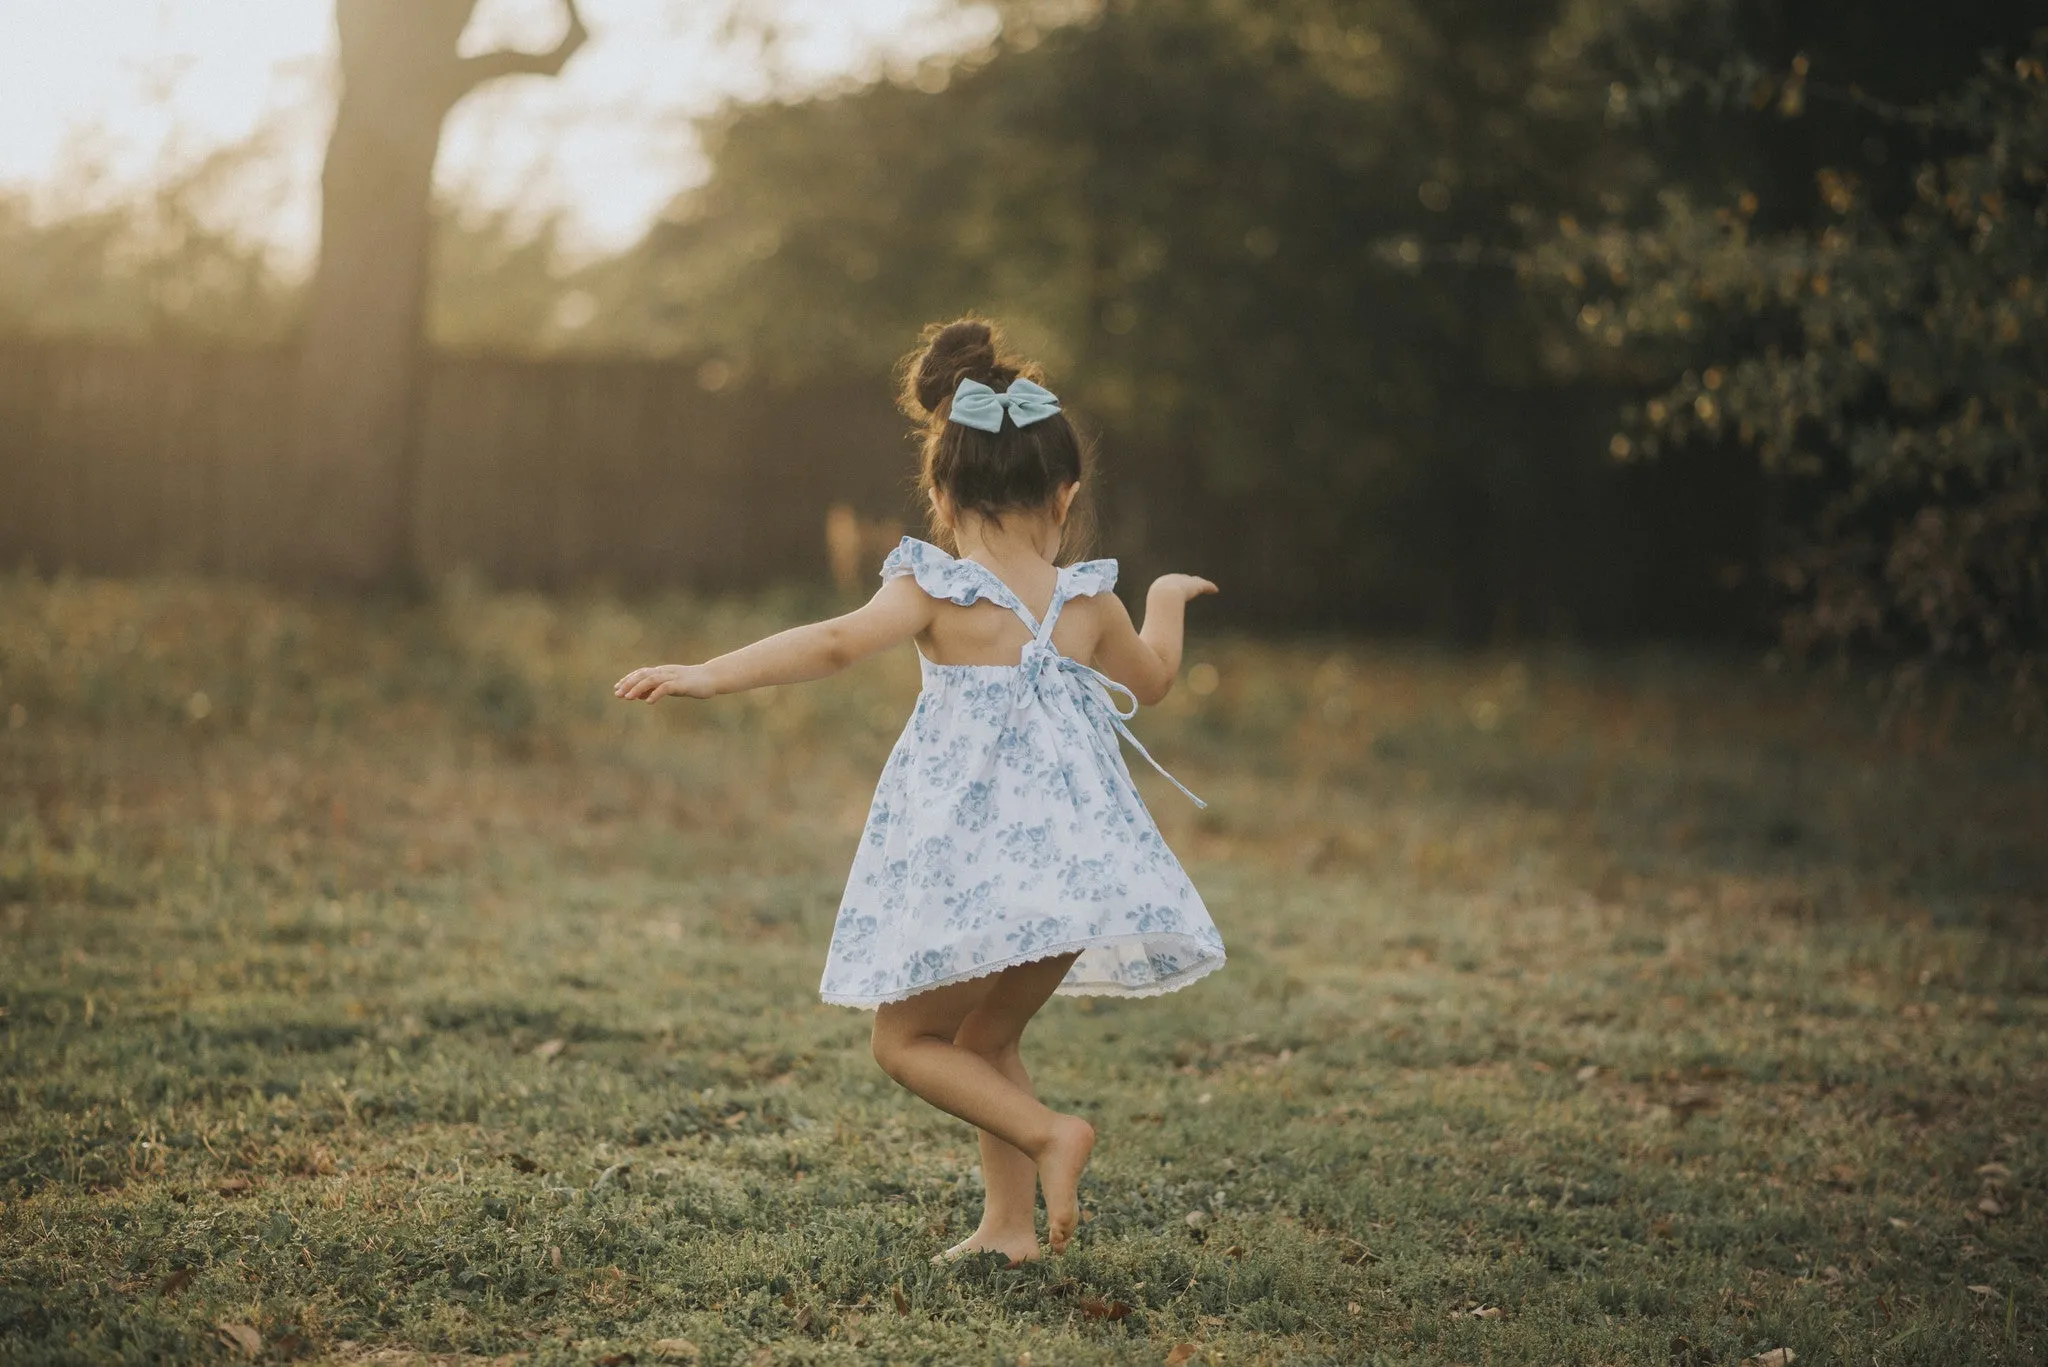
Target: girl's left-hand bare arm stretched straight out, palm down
[(816, 651)]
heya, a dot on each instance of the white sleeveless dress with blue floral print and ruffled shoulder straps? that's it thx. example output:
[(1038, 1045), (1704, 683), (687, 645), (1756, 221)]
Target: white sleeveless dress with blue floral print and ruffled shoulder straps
[(1007, 827)]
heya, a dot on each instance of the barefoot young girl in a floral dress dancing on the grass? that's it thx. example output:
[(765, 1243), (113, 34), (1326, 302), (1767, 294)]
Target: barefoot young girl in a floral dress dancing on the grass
[(1007, 856)]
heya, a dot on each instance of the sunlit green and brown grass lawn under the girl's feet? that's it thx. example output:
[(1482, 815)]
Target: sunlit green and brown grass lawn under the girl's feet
[(378, 989)]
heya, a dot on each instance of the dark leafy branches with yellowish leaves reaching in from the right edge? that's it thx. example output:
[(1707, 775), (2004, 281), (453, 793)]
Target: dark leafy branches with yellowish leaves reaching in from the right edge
[(1885, 362)]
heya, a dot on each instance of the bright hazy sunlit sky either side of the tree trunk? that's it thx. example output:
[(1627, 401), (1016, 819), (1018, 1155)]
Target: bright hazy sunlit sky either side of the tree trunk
[(105, 97)]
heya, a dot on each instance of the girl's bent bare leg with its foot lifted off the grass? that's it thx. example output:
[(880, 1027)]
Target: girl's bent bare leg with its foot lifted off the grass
[(914, 1042)]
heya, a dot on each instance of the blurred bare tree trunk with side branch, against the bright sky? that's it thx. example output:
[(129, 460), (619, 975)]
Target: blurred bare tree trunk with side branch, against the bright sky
[(364, 323)]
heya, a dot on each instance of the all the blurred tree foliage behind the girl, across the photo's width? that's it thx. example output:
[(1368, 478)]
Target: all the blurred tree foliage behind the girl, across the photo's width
[(1265, 249)]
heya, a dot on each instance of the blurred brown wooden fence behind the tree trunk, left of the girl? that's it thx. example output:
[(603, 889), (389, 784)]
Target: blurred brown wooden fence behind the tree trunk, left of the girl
[(122, 460)]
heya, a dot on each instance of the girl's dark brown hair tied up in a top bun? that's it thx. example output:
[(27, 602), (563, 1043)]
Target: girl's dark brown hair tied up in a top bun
[(1015, 470)]
